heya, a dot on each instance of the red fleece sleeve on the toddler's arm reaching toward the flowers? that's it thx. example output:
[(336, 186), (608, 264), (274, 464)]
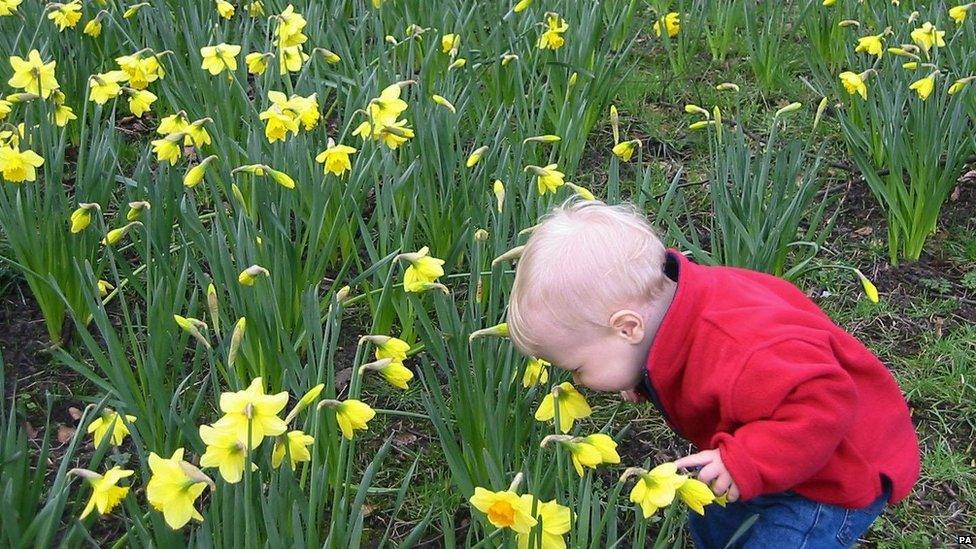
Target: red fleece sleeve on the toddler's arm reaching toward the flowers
[(793, 403)]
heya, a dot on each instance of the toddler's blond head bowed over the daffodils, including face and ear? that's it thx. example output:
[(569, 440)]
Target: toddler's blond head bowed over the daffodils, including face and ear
[(585, 291)]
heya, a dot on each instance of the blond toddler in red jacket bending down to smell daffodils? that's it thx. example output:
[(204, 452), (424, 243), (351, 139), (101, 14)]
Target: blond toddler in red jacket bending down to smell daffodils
[(796, 421)]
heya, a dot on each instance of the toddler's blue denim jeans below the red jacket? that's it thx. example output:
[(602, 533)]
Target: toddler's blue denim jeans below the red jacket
[(785, 519)]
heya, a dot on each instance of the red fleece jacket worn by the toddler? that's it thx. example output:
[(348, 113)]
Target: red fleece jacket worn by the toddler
[(746, 363)]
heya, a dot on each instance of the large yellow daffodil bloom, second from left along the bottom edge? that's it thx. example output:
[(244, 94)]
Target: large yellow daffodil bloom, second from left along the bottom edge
[(172, 490)]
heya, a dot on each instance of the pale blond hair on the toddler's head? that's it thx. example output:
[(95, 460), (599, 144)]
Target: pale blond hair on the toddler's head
[(583, 261)]
